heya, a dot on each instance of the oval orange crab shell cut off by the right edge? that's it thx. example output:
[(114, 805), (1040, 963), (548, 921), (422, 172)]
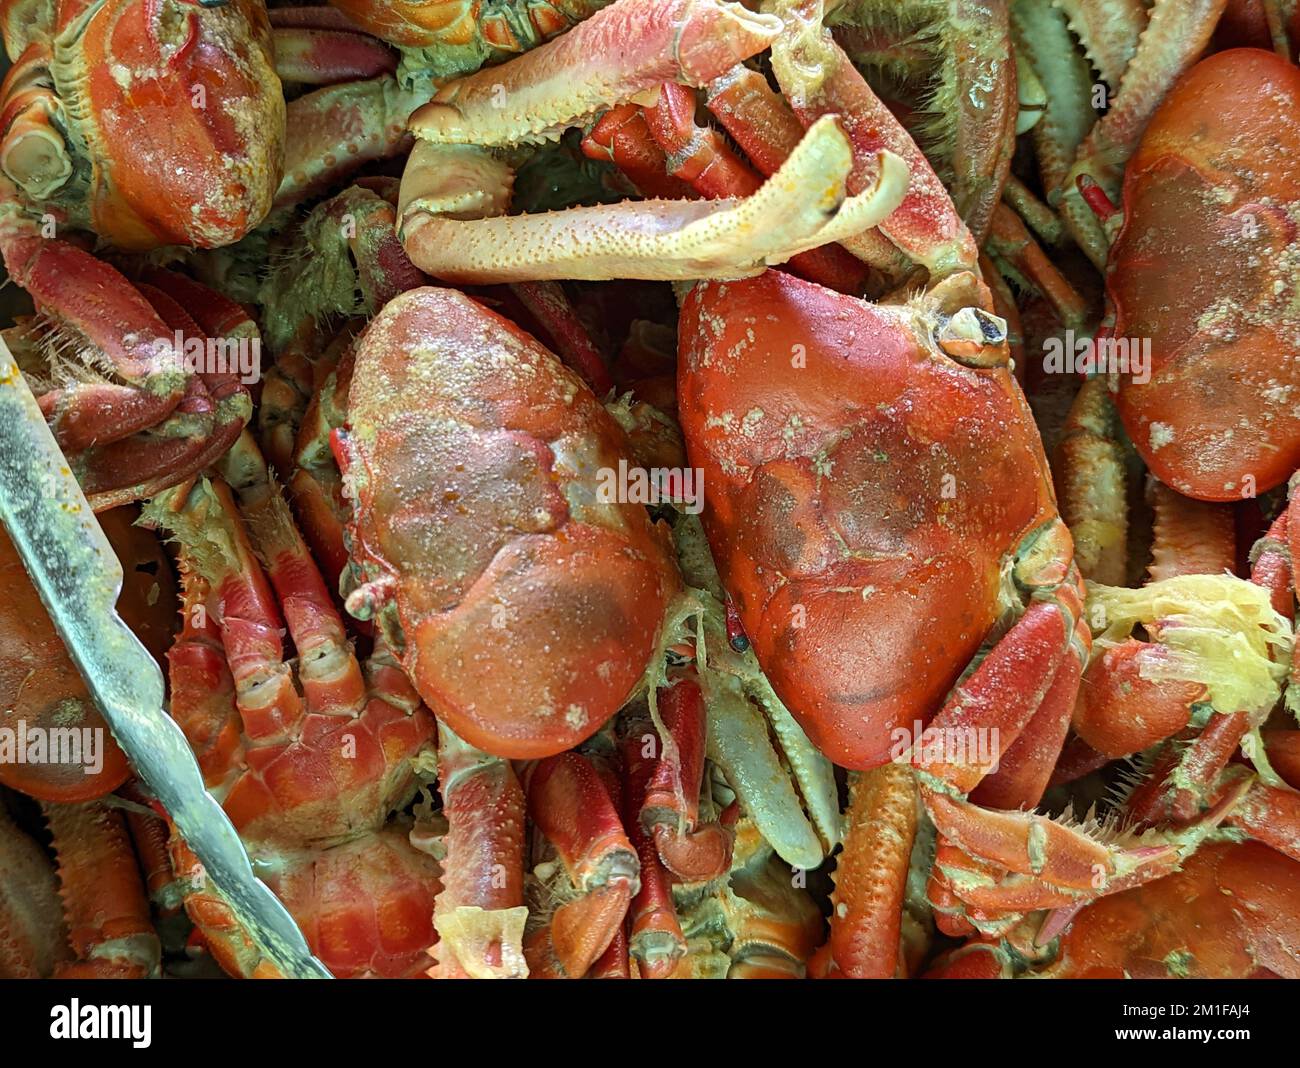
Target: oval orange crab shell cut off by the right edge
[(1206, 270)]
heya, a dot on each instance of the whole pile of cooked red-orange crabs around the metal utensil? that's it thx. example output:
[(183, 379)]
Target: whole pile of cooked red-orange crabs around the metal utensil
[(959, 342)]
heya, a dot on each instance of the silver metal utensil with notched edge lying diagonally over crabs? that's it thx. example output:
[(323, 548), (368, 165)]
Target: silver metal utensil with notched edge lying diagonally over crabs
[(79, 578)]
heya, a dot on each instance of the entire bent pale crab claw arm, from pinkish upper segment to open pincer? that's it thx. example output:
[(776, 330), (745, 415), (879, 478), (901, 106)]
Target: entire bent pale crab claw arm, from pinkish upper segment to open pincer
[(450, 184)]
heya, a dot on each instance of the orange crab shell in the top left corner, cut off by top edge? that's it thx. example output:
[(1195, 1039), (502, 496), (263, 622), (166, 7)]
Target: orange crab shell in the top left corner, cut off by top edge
[(181, 115)]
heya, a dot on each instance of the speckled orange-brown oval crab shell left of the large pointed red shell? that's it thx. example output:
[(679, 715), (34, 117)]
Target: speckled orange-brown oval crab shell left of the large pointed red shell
[(528, 609)]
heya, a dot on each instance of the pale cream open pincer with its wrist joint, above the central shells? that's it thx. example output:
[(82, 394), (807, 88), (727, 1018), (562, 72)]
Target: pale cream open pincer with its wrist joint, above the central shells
[(801, 207)]
